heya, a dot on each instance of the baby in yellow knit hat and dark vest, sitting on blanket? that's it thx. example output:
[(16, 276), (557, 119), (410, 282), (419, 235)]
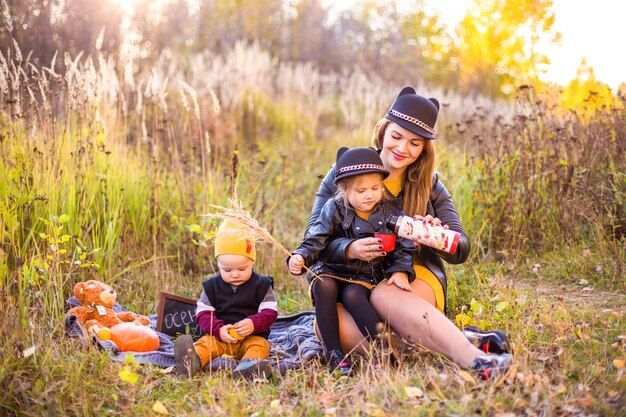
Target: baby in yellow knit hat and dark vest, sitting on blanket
[(236, 309)]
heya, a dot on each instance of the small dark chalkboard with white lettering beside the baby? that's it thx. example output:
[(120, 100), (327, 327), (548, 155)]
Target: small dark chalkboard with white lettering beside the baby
[(177, 315)]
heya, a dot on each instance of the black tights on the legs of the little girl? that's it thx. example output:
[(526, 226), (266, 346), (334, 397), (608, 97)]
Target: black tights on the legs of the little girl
[(355, 299)]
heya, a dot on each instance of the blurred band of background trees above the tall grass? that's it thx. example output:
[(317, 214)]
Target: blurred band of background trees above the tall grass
[(491, 51)]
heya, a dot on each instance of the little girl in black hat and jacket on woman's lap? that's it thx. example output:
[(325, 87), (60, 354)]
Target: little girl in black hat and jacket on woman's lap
[(357, 211)]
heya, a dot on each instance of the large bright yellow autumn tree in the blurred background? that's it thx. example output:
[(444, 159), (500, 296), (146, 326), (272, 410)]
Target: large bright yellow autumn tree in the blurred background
[(496, 44)]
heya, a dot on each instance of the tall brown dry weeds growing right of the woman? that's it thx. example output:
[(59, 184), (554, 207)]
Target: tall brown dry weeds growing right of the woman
[(547, 181)]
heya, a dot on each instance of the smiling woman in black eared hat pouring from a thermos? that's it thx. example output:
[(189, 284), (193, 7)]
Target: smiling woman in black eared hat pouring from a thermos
[(404, 139)]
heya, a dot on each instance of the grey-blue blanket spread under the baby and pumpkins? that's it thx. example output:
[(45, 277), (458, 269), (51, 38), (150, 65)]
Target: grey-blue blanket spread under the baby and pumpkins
[(292, 339)]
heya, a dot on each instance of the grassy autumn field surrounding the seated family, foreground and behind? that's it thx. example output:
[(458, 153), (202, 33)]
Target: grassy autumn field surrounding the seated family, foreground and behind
[(105, 173)]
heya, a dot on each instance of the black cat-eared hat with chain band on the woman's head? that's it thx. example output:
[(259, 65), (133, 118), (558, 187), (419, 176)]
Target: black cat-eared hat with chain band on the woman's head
[(415, 113)]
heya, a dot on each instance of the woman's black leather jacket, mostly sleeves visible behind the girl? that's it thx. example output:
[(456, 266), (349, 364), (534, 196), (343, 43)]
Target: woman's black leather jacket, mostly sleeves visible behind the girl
[(439, 205)]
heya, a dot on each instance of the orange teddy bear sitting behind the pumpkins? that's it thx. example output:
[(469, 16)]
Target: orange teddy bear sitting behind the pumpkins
[(96, 311)]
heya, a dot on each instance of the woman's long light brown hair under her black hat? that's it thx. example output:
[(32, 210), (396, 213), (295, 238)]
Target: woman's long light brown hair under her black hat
[(417, 181)]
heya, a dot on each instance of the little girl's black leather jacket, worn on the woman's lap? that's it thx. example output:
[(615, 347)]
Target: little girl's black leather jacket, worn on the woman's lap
[(335, 220)]
